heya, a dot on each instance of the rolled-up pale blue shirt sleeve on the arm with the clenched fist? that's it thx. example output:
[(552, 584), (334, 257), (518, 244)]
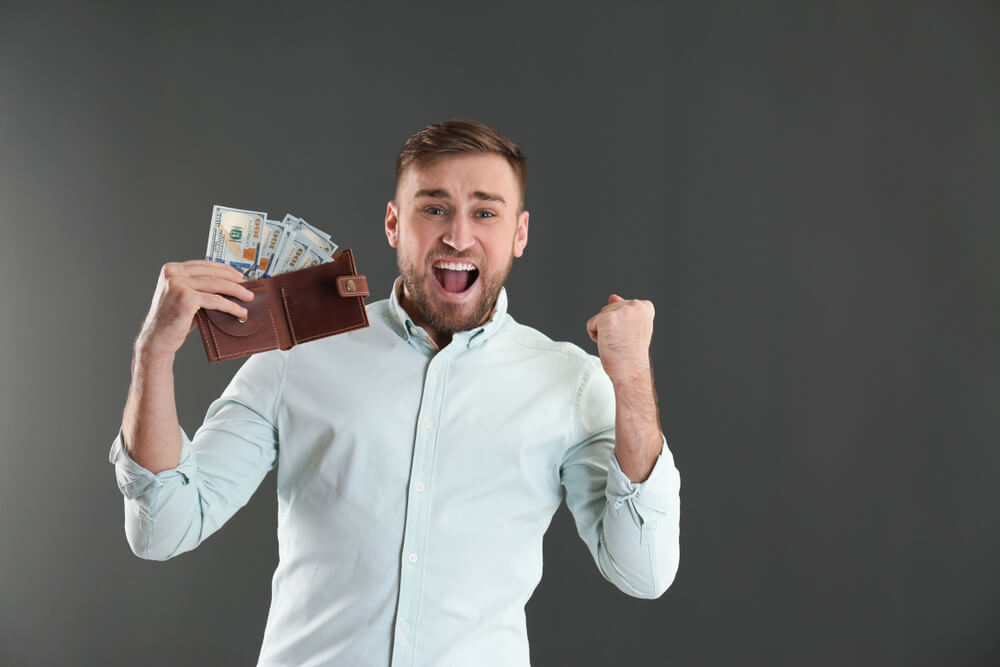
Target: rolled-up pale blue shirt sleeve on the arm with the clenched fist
[(632, 529)]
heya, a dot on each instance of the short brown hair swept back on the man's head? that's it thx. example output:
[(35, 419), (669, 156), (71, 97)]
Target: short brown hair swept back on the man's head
[(460, 136)]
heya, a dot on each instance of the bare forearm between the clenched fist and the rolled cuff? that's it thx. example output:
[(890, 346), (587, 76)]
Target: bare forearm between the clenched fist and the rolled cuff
[(638, 435)]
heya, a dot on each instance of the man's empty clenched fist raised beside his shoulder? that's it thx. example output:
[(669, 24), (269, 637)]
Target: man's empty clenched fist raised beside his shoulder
[(623, 330)]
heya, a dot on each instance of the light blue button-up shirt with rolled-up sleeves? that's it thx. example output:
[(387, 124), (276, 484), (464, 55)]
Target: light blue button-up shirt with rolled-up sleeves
[(414, 488)]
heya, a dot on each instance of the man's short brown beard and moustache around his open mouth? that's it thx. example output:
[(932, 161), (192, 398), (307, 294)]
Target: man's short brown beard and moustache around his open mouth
[(445, 316)]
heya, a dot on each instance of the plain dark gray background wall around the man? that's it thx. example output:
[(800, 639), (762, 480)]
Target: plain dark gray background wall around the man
[(807, 194)]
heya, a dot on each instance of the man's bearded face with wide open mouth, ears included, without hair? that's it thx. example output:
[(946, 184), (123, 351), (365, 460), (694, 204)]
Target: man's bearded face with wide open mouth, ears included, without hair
[(456, 225)]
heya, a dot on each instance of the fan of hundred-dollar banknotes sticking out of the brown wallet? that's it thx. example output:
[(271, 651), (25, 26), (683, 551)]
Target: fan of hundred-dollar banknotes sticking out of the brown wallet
[(261, 248)]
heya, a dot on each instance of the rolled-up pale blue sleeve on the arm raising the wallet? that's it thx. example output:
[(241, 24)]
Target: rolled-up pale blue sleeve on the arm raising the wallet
[(173, 511)]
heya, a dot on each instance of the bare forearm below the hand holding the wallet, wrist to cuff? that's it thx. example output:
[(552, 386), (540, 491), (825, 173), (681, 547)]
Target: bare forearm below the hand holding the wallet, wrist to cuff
[(150, 428)]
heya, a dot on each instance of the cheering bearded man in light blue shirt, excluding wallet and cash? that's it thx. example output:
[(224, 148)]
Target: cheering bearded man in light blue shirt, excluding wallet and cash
[(419, 460)]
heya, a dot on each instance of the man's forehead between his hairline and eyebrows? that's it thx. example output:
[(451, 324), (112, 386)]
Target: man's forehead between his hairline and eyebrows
[(461, 175)]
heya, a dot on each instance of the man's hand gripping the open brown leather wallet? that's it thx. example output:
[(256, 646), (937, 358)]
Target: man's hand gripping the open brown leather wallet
[(183, 288)]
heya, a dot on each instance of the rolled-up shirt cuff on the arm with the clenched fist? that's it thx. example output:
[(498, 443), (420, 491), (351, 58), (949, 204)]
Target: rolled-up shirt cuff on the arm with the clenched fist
[(647, 500)]
